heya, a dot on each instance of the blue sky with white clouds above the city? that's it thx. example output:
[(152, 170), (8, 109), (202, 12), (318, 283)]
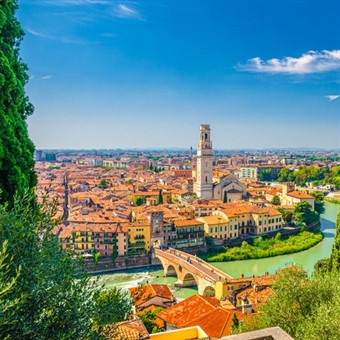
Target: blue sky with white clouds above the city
[(113, 74)]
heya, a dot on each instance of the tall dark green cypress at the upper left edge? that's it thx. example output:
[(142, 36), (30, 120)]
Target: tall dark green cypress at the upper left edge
[(16, 149)]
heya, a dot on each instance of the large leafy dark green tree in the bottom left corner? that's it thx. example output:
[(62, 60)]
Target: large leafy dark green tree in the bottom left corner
[(58, 294)]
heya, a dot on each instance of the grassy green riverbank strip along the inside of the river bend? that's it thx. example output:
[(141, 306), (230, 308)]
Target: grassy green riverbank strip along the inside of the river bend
[(263, 248)]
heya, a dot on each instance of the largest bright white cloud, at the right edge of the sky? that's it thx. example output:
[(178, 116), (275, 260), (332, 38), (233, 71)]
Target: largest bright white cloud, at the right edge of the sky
[(310, 62)]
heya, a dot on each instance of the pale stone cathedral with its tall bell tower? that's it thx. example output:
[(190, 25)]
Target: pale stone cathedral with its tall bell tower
[(228, 187)]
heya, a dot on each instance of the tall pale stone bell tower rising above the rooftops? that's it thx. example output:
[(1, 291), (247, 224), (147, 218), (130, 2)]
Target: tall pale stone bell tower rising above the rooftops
[(204, 186)]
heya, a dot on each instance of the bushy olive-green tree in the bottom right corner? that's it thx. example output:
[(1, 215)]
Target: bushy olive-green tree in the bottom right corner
[(305, 307)]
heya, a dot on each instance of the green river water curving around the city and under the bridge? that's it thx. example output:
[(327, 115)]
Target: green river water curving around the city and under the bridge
[(306, 259)]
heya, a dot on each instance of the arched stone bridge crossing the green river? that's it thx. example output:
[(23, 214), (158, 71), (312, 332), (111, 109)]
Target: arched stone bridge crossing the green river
[(192, 271)]
